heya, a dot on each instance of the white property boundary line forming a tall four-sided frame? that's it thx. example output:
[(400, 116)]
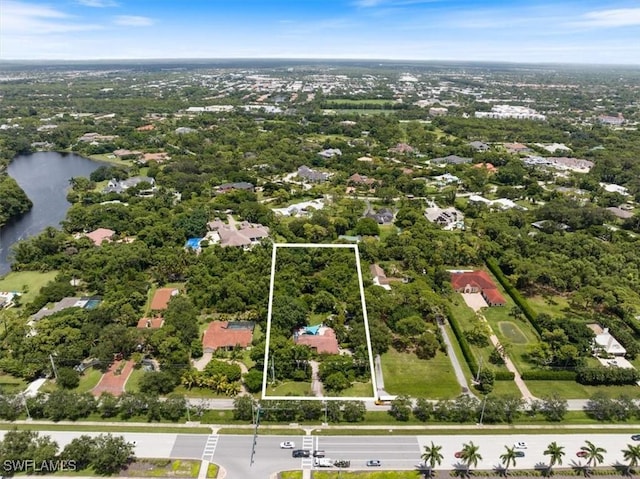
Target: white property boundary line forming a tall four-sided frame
[(364, 315)]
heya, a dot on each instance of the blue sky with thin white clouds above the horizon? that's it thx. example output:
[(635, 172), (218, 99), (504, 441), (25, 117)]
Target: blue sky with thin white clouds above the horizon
[(560, 31)]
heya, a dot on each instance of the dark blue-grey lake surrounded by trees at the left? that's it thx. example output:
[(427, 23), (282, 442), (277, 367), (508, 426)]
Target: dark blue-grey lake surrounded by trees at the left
[(44, 176)]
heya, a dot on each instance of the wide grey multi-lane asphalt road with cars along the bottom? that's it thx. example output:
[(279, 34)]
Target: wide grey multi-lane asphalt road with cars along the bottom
[(394, 452)]
